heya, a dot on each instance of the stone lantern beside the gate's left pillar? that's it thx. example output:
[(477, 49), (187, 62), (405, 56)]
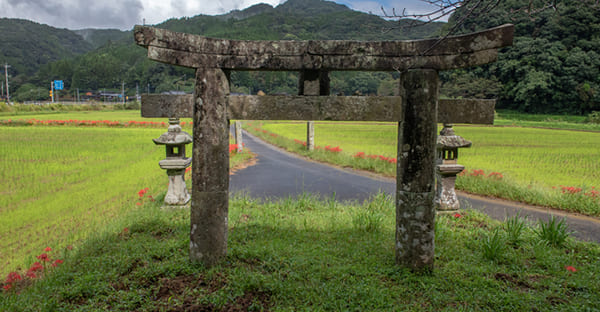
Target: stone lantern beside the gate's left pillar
[(175, 163)]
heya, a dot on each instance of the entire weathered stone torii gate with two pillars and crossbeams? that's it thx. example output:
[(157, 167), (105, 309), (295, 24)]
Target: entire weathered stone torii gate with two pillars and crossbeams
[(415, 110)]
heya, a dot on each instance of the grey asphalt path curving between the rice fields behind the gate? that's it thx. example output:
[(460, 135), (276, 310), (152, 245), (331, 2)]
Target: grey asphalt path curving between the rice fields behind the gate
[(280, 174)]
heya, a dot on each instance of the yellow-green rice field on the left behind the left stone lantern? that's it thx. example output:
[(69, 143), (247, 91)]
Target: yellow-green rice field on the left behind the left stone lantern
[(58, 184)]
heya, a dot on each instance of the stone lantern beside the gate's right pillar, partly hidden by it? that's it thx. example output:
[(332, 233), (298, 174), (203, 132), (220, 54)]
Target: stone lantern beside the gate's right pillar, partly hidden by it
[(447, 168)]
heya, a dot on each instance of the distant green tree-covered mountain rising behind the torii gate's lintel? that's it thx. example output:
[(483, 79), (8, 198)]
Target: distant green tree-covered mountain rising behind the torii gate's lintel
[(116, 59)]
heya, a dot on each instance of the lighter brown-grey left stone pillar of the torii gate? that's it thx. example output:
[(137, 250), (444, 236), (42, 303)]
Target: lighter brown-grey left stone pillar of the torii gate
[(210, 193)]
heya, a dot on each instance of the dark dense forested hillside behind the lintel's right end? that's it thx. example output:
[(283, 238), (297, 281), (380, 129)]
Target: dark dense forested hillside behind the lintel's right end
[(553, 66)]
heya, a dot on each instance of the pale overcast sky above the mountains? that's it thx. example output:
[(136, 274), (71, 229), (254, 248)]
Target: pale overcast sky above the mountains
[(124, 14)]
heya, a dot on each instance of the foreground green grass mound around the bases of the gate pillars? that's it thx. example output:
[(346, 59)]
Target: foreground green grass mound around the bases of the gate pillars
[(301, 254)]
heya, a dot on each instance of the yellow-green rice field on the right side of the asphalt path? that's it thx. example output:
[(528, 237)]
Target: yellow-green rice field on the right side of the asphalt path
[(539, 166)]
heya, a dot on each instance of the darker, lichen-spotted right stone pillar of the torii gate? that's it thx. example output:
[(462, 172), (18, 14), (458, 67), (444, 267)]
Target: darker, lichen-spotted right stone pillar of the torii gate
[(415, 178)]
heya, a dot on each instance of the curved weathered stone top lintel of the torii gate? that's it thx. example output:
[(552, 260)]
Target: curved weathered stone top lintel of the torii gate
[(200, 52)]
